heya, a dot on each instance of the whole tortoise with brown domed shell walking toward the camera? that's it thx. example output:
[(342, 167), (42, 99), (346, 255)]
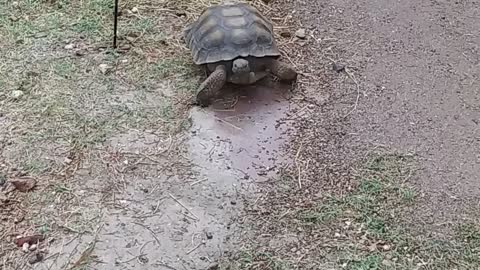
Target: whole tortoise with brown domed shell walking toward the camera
[(235, 43)]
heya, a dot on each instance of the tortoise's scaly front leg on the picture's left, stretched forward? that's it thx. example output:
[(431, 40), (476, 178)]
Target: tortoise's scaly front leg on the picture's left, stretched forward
[(211, 87)]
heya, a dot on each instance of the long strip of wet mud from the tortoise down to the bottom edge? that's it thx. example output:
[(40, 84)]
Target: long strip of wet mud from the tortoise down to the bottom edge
[(234, 145)]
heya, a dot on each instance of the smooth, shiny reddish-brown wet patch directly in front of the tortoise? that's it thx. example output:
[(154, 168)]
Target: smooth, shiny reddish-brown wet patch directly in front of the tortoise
[(240, 134)]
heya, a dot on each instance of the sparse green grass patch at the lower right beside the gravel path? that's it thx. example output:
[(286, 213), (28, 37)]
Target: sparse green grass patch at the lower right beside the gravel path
[(374, 207)]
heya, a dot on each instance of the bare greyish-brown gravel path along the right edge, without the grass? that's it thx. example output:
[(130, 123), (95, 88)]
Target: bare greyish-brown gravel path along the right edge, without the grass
[(419, 70)]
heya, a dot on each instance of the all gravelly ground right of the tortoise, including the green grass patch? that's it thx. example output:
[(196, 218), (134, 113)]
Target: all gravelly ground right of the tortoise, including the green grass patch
[(410, 90)]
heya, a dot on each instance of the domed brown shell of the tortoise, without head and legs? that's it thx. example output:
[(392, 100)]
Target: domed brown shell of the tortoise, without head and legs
[(225, 32)]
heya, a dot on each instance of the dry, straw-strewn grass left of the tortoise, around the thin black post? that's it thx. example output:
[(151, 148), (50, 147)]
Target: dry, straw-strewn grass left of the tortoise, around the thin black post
[(58, 108)]
